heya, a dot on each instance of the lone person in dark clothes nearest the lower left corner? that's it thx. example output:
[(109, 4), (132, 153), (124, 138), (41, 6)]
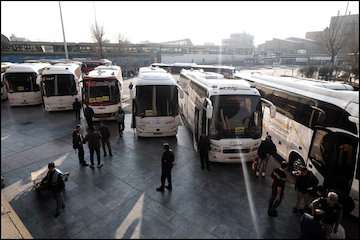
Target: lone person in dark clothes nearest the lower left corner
[(54, 180)]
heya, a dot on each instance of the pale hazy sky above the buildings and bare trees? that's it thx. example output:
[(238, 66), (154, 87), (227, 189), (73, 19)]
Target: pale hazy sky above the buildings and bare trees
[(165, 21)]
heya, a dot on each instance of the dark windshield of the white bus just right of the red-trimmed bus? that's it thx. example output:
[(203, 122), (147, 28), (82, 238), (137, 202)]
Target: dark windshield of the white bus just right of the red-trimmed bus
[(155, 101)]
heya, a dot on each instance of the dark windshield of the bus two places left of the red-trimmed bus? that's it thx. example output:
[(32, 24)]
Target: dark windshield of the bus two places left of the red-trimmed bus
[(22, 82)]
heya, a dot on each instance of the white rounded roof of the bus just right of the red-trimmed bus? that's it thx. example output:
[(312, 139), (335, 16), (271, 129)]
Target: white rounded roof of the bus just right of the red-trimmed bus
[(154, 78)]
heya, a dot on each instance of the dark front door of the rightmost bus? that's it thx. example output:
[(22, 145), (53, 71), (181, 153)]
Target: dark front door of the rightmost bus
[(332, 158)]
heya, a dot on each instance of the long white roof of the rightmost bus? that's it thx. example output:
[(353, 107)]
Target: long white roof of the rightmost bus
[(348, 100)]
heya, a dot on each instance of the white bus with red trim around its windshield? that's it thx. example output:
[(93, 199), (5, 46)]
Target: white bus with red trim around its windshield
[(102, 90)]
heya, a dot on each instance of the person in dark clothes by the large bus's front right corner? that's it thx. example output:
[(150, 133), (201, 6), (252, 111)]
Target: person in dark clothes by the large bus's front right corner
[(266, 149)]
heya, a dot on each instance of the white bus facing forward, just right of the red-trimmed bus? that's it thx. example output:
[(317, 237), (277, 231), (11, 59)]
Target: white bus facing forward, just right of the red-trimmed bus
[(155, 104)]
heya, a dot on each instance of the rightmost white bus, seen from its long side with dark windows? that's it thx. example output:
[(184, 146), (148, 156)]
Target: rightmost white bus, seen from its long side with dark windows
[(316, 126)]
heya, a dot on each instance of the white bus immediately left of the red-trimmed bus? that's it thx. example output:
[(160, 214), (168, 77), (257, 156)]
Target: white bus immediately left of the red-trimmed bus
[(61, 85)]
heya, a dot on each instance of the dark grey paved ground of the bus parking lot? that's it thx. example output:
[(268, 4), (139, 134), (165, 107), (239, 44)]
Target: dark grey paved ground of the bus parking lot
[(119, 200)]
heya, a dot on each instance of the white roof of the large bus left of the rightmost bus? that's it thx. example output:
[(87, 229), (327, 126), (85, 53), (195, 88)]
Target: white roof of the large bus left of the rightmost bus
[(216, 84)]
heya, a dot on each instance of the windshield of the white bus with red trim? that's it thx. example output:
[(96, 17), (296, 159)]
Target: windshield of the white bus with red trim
[(102, 91)]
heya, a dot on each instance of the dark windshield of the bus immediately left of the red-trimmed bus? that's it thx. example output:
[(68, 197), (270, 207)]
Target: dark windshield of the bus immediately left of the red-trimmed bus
[(59, 85)]
